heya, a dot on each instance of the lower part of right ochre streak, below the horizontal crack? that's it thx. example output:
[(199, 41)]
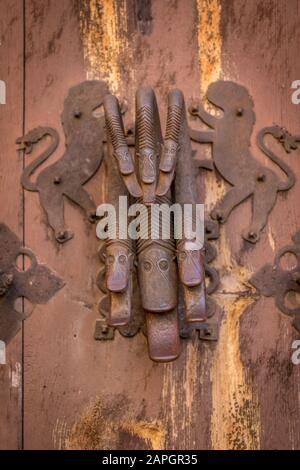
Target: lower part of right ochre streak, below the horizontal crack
[(235, 421)]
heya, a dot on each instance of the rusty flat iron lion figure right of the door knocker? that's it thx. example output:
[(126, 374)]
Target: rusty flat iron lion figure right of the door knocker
[(230, 137)]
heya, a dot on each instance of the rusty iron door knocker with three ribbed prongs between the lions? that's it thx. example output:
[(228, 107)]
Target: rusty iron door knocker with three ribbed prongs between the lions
[(148, 177)]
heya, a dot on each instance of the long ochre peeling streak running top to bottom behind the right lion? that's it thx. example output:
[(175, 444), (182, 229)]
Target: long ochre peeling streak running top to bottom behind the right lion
[(235, 414)]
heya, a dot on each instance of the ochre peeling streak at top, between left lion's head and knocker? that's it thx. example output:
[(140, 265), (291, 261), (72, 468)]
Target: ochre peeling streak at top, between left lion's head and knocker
[(104, 30)]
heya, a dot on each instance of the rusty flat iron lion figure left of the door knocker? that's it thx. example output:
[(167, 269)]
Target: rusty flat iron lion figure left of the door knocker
[(84, 132)]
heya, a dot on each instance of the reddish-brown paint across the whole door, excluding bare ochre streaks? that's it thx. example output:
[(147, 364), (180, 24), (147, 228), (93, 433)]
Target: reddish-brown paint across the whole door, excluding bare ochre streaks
[(64, 368)]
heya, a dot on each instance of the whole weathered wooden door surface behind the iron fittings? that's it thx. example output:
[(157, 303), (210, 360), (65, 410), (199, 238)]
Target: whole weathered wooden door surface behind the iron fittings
[(61, 389)]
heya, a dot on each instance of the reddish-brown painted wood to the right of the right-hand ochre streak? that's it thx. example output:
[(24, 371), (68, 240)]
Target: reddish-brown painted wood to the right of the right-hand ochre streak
[(260, 44)]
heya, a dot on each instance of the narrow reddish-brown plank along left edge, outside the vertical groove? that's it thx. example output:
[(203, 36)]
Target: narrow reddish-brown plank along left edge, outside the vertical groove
[(11, 204)]
